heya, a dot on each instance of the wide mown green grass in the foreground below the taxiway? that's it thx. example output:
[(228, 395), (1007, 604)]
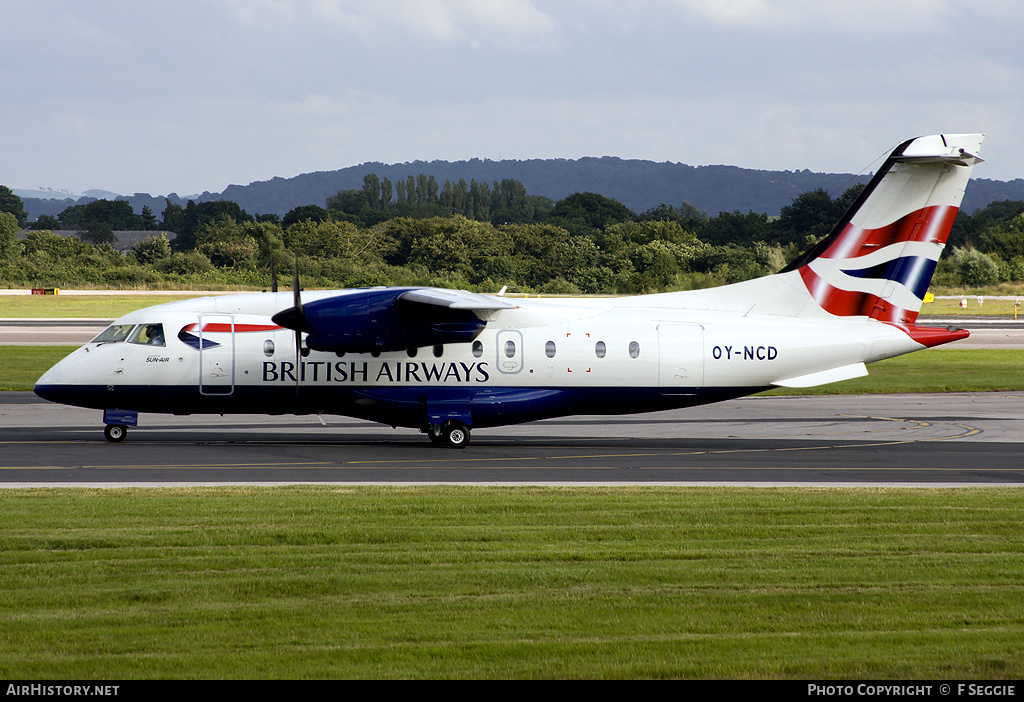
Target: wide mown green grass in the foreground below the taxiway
[(470, 583)]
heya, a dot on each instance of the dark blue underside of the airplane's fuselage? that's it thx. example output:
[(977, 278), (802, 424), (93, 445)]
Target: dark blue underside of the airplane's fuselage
[(400, 407)]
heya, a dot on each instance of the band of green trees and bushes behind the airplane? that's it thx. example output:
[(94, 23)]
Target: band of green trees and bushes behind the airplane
[(477, 236)]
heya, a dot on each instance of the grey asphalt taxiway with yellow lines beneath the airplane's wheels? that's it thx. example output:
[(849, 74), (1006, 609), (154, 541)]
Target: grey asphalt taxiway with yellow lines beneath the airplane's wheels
[(952, 440)]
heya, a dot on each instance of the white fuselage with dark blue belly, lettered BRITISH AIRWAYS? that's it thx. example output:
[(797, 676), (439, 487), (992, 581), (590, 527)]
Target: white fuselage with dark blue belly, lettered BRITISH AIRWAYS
[(546, 358)]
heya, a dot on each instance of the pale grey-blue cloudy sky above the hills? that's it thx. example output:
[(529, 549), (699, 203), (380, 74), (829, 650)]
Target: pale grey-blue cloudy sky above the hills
[(194, 96)]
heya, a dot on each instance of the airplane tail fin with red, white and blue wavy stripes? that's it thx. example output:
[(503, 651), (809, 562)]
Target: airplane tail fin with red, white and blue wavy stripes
[(879, 260)]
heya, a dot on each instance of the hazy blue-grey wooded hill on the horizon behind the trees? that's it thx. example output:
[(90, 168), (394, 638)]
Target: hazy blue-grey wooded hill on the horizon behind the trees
[(638, 185)]
